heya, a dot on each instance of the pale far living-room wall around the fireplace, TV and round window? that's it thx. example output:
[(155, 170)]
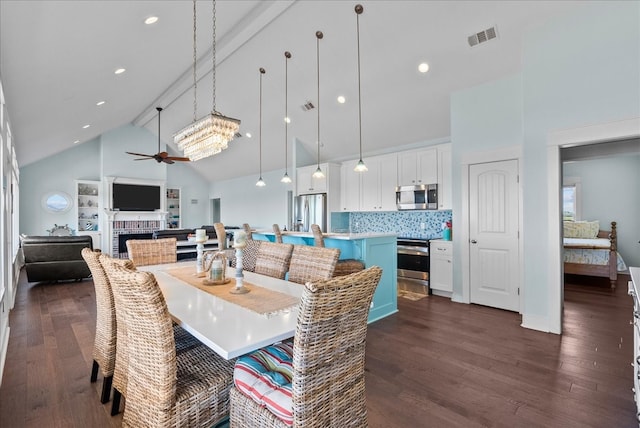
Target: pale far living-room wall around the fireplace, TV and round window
[(93, 160)]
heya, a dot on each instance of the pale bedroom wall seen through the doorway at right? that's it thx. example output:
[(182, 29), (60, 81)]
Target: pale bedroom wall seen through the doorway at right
[(609, 193)]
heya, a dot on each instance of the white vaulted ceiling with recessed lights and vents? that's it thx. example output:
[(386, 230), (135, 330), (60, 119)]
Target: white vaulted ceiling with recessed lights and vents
[(58, 59)]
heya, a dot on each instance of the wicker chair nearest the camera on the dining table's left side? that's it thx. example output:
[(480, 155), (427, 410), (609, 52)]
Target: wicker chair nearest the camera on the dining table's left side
[(167, 386)]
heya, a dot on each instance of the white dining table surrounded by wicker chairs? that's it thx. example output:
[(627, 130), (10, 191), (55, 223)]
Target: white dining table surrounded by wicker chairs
[(227, 328)]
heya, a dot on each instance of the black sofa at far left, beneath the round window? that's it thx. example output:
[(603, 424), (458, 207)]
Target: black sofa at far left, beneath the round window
[(55, 258)]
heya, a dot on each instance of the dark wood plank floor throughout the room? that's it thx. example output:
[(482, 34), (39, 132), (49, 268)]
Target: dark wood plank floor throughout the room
[(434, 364)]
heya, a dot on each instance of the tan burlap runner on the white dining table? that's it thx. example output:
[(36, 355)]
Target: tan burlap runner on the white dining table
[(260, 299)]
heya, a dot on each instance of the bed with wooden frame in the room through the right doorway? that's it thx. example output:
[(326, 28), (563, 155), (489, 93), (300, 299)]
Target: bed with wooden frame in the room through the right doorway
[(591, 251)]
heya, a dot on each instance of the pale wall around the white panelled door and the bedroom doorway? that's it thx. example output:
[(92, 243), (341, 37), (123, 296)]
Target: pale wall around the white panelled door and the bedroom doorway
[(577, 70)]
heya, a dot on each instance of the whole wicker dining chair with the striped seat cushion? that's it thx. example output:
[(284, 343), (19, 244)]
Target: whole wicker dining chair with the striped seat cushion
[(326, 371)]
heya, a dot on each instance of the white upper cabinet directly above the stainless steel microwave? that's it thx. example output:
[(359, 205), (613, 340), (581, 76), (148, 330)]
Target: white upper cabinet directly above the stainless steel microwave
[(418, 167)]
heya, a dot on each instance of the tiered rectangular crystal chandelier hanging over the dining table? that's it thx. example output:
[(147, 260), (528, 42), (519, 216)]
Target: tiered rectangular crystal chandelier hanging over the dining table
[(211, 134)]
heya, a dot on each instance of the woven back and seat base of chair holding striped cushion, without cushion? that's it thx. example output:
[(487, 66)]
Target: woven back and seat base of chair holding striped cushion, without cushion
[(328, 384)]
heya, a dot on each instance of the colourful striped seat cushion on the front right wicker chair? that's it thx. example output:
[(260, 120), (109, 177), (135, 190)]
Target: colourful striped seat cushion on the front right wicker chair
[(265, 377)]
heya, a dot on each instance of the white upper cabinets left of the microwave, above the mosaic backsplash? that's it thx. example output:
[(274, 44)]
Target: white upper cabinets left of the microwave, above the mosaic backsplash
[(373, 190)]
